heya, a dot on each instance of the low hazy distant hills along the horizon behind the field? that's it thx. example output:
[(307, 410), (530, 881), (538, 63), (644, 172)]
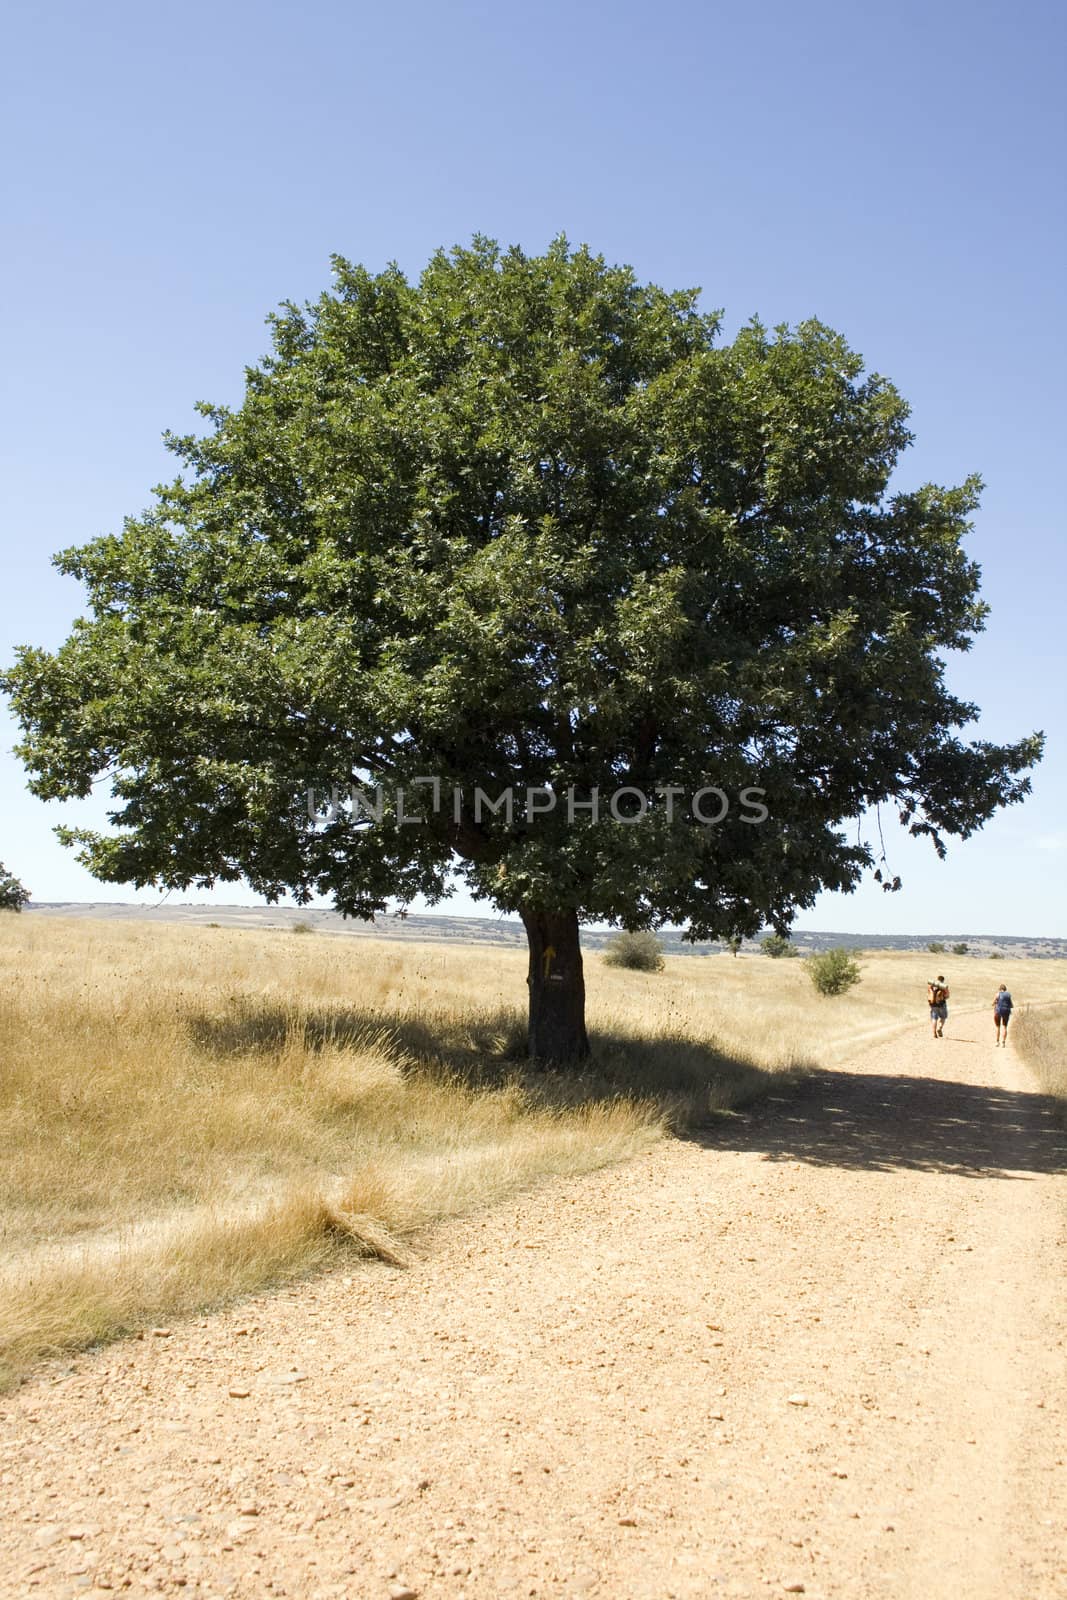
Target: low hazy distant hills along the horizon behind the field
[(506, 930)]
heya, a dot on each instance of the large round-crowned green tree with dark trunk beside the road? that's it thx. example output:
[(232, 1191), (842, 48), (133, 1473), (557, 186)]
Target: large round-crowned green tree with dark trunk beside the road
[(526, 526)]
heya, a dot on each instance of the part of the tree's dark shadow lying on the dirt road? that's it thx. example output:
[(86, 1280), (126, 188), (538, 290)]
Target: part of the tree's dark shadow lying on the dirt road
[(882, 1122)]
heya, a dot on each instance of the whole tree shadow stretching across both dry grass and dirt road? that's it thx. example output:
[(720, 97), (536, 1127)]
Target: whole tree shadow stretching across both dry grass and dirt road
[(876, 1122)]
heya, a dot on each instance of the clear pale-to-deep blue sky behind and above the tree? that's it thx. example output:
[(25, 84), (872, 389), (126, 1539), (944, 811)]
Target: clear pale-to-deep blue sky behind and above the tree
[(174, 174)]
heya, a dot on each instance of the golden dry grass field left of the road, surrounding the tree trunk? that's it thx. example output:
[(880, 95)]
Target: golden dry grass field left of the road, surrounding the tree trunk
[(188, 1114)]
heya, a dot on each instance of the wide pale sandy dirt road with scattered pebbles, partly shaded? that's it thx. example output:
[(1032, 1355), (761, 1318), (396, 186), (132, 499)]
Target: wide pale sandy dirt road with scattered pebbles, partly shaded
[(820, 1346)]
